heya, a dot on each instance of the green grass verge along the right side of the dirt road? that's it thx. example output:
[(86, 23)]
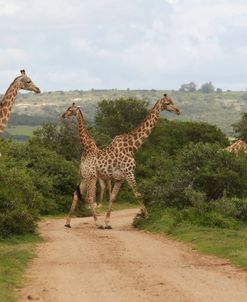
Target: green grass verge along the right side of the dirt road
[(227, 242)]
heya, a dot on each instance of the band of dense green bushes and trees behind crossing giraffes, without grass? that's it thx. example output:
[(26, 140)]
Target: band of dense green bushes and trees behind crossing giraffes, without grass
[(183, 166)]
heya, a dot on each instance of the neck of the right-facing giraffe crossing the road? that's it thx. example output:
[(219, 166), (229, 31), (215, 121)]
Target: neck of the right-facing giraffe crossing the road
[(138, 136)]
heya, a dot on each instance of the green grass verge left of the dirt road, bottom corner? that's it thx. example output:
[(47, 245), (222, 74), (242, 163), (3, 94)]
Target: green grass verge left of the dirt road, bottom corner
[(14, 256)]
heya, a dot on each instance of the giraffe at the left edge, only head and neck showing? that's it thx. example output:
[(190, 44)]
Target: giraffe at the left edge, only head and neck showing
[(21, 82)]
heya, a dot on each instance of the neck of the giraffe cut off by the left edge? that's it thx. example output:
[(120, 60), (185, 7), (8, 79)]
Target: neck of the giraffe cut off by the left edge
[(6, 105)]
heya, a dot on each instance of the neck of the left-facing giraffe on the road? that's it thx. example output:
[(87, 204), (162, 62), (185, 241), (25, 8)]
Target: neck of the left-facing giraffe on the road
[(87, 142)]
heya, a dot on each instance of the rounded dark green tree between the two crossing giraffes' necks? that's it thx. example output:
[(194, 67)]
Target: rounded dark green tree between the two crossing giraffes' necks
[(114, 117)]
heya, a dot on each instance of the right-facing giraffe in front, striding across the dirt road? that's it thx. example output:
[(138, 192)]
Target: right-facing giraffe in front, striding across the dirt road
[(116, 161)]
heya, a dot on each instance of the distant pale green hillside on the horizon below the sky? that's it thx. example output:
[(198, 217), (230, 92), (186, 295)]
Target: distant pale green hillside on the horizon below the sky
[(221, 109)]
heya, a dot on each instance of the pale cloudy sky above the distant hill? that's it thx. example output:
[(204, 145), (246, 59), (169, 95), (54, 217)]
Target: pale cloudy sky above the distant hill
[(136, 44)]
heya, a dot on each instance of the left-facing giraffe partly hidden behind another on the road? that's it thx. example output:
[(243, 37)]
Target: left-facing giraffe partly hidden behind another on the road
[(90, 149)]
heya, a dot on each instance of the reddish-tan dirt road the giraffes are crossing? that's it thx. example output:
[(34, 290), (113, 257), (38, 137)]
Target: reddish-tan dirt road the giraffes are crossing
[(124, 265)]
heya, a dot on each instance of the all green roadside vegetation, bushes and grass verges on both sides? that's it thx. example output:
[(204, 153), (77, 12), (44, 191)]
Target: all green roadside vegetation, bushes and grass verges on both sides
[(194, 189)]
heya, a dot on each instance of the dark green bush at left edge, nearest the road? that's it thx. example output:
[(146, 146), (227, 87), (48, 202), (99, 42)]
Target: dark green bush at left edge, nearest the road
[(19, 201)]
